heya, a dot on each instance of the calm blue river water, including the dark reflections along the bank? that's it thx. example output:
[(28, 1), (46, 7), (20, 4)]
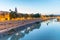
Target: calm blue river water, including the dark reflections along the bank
[(47, 30)]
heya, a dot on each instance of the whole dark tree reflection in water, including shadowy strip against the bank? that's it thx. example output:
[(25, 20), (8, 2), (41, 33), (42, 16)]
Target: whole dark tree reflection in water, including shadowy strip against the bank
[(20, 32)]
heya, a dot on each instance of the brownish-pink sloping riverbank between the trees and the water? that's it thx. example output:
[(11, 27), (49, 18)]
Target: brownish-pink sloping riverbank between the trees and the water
[(8, 25)]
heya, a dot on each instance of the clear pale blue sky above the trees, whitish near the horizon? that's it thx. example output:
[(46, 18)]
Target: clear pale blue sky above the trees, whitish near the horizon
[(31, 6)]
